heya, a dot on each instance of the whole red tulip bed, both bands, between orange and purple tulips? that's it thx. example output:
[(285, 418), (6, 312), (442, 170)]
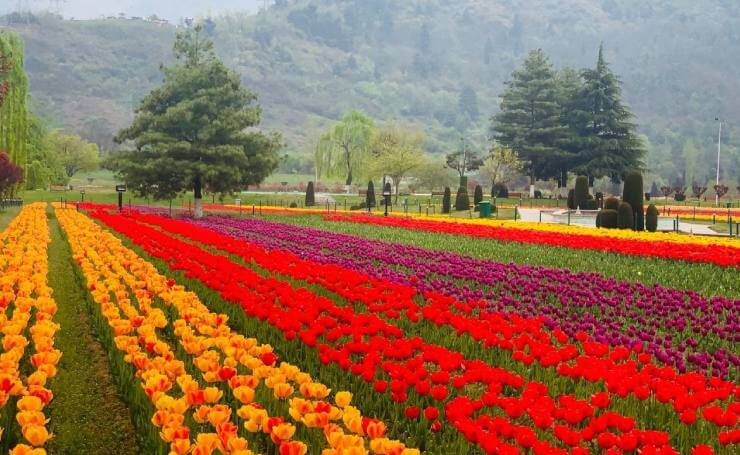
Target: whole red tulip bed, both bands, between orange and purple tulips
[(425, 376)]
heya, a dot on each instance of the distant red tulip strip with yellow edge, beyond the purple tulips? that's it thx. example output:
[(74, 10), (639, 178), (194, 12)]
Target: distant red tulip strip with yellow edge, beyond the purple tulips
[(725, 253)]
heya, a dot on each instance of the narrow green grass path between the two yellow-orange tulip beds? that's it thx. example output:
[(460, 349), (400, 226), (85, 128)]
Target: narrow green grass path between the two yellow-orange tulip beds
[(86, 415)]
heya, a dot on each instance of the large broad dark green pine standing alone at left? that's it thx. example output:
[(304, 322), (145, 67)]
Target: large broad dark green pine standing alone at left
[(195, 131)]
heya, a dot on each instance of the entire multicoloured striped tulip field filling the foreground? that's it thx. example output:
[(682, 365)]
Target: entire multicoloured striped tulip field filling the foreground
[(297, 333)]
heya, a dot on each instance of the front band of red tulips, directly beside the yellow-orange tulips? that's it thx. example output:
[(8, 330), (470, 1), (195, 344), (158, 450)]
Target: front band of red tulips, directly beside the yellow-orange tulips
[(377, 351)]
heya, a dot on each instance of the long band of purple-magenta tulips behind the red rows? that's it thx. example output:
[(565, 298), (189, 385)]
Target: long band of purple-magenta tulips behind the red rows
[(572, 302)]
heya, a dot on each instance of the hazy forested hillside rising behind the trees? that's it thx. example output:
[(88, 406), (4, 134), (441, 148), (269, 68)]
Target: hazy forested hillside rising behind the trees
[(439, 63)]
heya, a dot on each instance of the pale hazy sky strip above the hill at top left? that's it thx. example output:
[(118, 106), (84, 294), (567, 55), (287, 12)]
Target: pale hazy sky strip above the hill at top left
[(170, 9)]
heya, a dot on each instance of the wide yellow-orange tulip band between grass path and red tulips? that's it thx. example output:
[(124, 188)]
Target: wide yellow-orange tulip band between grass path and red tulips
[(236, 364)]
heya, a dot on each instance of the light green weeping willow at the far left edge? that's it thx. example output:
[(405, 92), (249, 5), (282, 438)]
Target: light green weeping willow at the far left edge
[(13, 97)]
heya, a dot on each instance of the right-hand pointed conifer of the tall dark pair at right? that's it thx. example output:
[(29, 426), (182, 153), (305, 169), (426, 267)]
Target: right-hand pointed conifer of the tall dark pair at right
[(605, 138)]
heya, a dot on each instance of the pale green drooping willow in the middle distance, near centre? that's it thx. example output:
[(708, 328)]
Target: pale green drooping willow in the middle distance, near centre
[(345, 148)]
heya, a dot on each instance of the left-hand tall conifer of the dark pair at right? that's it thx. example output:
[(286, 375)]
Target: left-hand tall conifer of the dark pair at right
[(530, 119)]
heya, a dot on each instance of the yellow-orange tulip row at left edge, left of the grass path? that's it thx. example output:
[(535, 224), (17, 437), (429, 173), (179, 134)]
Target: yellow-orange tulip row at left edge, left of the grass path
[(24, 288)]
